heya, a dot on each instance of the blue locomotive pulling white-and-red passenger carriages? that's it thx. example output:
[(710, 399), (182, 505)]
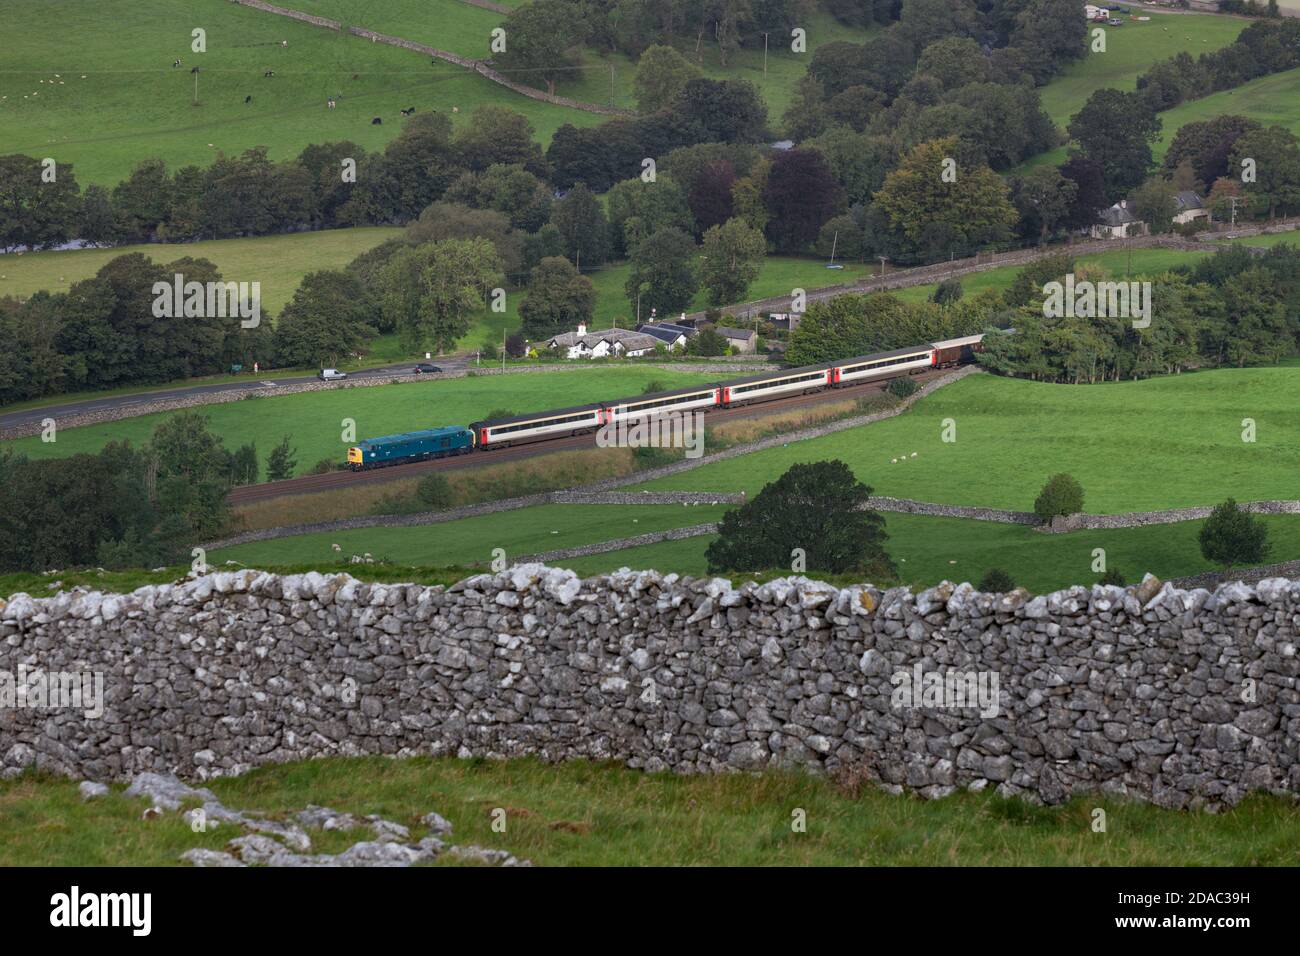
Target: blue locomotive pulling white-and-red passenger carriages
[(557, 423)]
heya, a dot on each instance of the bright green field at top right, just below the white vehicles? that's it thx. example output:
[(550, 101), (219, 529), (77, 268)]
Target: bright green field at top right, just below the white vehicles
[(1132, 50)]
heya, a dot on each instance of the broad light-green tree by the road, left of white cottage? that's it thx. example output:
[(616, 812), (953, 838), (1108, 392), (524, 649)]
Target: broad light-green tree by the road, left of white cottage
[(434, 291)]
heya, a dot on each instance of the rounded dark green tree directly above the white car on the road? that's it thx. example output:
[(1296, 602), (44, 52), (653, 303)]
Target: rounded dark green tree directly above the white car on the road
[(330, 319)]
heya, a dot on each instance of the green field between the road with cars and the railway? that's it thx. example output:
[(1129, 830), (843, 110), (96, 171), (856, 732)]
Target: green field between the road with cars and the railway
[(315, 419)]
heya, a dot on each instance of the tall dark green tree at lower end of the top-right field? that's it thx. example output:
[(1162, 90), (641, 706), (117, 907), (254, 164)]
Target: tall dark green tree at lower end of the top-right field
[(1117, 131)]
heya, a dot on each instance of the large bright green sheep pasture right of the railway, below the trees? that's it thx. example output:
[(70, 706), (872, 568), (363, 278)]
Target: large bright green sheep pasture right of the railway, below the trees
[(1156, 444)]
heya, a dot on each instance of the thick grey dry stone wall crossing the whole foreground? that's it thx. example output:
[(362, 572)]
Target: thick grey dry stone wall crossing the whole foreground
[(1182, 698)]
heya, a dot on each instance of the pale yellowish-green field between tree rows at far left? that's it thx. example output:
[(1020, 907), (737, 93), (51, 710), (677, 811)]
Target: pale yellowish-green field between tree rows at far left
[(278, 262)]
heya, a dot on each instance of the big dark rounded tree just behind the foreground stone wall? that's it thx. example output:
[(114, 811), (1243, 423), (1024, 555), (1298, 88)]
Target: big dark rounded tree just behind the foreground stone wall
[(818, 508)]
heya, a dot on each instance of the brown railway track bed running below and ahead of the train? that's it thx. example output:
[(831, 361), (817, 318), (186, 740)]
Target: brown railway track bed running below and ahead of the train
[(310, 485)]
